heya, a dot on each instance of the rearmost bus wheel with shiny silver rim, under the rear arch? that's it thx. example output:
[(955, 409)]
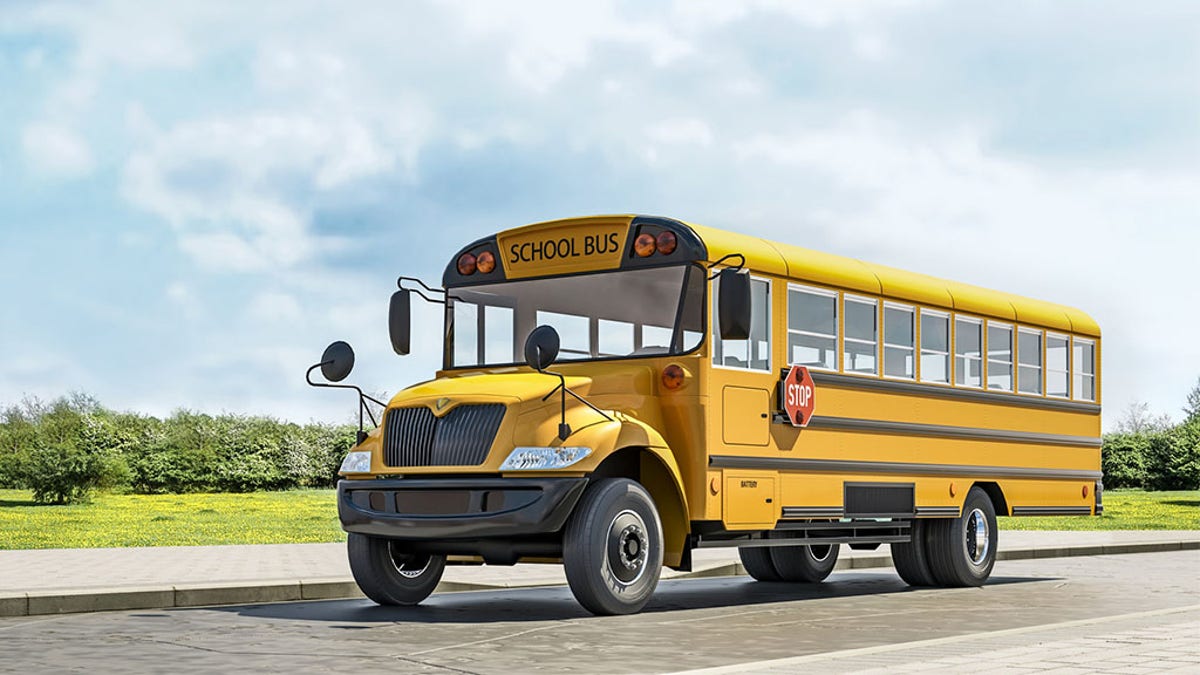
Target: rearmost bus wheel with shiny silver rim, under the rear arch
[(962, 551)]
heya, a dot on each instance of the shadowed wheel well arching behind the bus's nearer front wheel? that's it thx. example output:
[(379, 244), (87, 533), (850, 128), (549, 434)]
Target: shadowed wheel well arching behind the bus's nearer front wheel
[(646, 468)]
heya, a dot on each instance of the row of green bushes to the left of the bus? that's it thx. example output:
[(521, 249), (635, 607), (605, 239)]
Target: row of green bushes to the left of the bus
[(67, 449)]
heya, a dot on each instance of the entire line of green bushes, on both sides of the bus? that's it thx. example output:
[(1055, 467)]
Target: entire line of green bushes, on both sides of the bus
[(67, 449)]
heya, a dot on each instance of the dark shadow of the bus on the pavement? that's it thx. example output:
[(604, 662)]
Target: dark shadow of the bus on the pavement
[(556, 604)]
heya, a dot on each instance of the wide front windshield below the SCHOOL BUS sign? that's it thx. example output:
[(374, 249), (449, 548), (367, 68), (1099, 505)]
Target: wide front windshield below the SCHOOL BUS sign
[(598, 316)]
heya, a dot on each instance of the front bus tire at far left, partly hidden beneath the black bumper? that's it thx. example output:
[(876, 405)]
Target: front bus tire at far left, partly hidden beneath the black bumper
[(389, 576)]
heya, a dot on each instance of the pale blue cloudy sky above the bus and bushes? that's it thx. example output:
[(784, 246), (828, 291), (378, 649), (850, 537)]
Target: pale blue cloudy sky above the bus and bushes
[(197, 198)]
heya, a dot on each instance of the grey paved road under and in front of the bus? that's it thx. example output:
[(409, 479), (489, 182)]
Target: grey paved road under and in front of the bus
[(1125, 612)]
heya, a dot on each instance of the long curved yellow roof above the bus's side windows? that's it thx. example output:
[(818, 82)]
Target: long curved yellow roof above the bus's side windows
[(851, 274)]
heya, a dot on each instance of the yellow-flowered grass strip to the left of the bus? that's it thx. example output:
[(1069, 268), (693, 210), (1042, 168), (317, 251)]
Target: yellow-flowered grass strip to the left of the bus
[(170, 521)]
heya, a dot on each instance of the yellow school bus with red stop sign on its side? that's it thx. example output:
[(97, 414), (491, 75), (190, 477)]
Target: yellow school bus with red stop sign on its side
[(617, 392)]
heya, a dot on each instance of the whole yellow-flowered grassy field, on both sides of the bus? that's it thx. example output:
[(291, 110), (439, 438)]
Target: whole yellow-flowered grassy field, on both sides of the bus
[(311, 516)]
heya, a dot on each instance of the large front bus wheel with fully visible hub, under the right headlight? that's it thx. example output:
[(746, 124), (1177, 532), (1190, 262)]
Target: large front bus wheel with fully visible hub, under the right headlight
[(613, 548)]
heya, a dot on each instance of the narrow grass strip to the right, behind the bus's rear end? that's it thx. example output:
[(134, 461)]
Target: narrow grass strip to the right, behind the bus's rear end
[(1126, 510)]
